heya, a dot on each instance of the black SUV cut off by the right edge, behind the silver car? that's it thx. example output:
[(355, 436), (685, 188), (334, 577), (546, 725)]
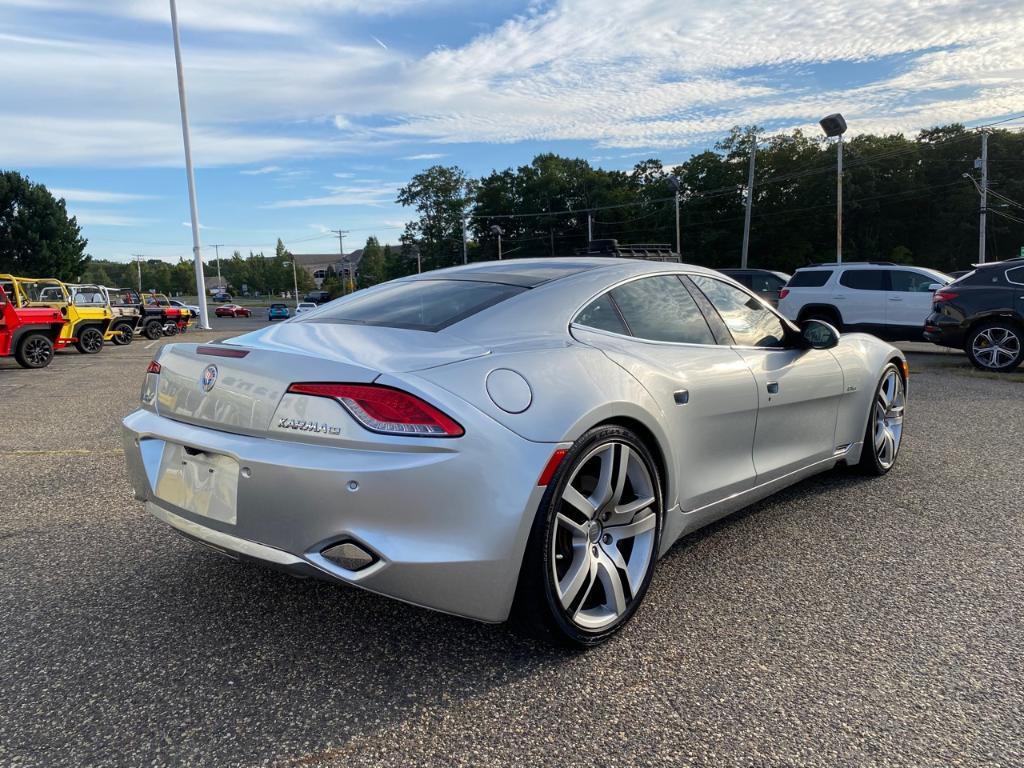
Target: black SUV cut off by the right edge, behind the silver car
[(984, 314)]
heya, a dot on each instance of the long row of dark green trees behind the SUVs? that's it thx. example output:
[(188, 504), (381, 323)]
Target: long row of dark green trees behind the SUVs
[(906, 200)]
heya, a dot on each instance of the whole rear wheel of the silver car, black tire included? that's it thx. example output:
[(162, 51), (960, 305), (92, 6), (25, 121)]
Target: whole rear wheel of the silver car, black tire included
[(539, 609)]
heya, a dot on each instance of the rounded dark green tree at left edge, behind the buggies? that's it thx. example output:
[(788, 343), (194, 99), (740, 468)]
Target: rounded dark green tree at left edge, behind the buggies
[(37, 237)]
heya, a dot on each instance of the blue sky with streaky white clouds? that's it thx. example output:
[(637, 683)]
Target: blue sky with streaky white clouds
[(308, 115)]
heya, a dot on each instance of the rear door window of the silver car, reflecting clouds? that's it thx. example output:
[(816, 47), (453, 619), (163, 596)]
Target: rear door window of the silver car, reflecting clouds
[(661, 309)]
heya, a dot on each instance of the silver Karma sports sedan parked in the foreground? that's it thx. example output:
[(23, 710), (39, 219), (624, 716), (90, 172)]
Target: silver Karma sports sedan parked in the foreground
[(516, 439)]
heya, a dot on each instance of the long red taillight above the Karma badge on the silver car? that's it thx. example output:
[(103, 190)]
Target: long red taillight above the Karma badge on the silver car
[(387, 410)]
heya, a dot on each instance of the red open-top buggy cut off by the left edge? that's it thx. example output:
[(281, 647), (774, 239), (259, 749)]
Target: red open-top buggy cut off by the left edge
[(30, 333)]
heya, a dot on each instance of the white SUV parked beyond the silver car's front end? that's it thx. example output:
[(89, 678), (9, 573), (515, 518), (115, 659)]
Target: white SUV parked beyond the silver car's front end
[(881, 298)]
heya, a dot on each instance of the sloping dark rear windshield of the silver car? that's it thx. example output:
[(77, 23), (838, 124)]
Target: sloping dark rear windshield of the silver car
[(418, 306)]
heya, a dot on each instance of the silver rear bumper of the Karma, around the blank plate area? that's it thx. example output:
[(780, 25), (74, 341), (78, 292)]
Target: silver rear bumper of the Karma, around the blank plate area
[(447, 530)]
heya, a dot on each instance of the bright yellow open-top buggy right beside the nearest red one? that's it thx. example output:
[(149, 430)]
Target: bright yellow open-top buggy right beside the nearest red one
[(89, 319)]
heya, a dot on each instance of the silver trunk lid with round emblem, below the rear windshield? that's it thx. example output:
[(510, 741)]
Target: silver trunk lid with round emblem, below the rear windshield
[(237, 388)]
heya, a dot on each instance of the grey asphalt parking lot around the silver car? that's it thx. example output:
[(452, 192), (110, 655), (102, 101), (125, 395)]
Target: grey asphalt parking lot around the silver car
[(845, 622)]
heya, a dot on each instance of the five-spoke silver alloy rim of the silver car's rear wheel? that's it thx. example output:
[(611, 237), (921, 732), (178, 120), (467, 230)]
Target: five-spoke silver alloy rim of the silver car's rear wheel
[(604, 538)]
